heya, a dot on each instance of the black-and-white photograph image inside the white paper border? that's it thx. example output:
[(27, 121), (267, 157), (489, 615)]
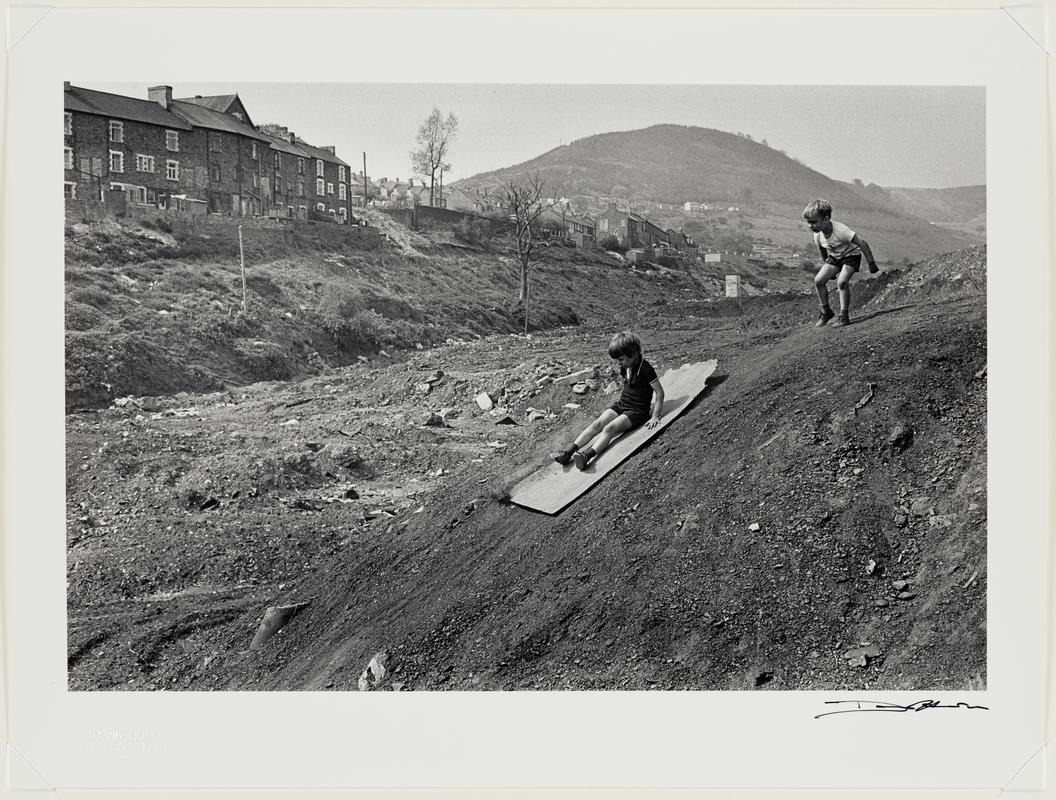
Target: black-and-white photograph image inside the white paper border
[(401, 388)]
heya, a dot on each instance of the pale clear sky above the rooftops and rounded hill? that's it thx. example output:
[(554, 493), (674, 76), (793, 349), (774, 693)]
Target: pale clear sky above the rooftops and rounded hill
[(911, 137)]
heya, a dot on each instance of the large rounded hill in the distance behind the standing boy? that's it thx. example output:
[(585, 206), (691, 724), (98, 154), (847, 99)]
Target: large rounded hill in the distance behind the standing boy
[(671, 164)]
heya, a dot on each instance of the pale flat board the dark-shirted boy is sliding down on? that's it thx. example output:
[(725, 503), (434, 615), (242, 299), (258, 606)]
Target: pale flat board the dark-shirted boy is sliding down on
[(554, 487)]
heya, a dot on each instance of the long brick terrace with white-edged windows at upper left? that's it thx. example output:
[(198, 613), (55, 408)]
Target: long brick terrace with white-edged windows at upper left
[(198, 155)]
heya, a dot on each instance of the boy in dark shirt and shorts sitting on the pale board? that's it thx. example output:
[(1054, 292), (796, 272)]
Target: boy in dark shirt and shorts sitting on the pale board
[(642, 387)]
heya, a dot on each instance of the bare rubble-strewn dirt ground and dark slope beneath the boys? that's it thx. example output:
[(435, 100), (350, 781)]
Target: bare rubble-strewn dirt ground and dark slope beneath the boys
[(817, 520)]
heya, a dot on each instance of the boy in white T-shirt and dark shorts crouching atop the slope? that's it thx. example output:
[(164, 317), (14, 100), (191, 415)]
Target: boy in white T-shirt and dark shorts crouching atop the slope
[(842, 252)]
